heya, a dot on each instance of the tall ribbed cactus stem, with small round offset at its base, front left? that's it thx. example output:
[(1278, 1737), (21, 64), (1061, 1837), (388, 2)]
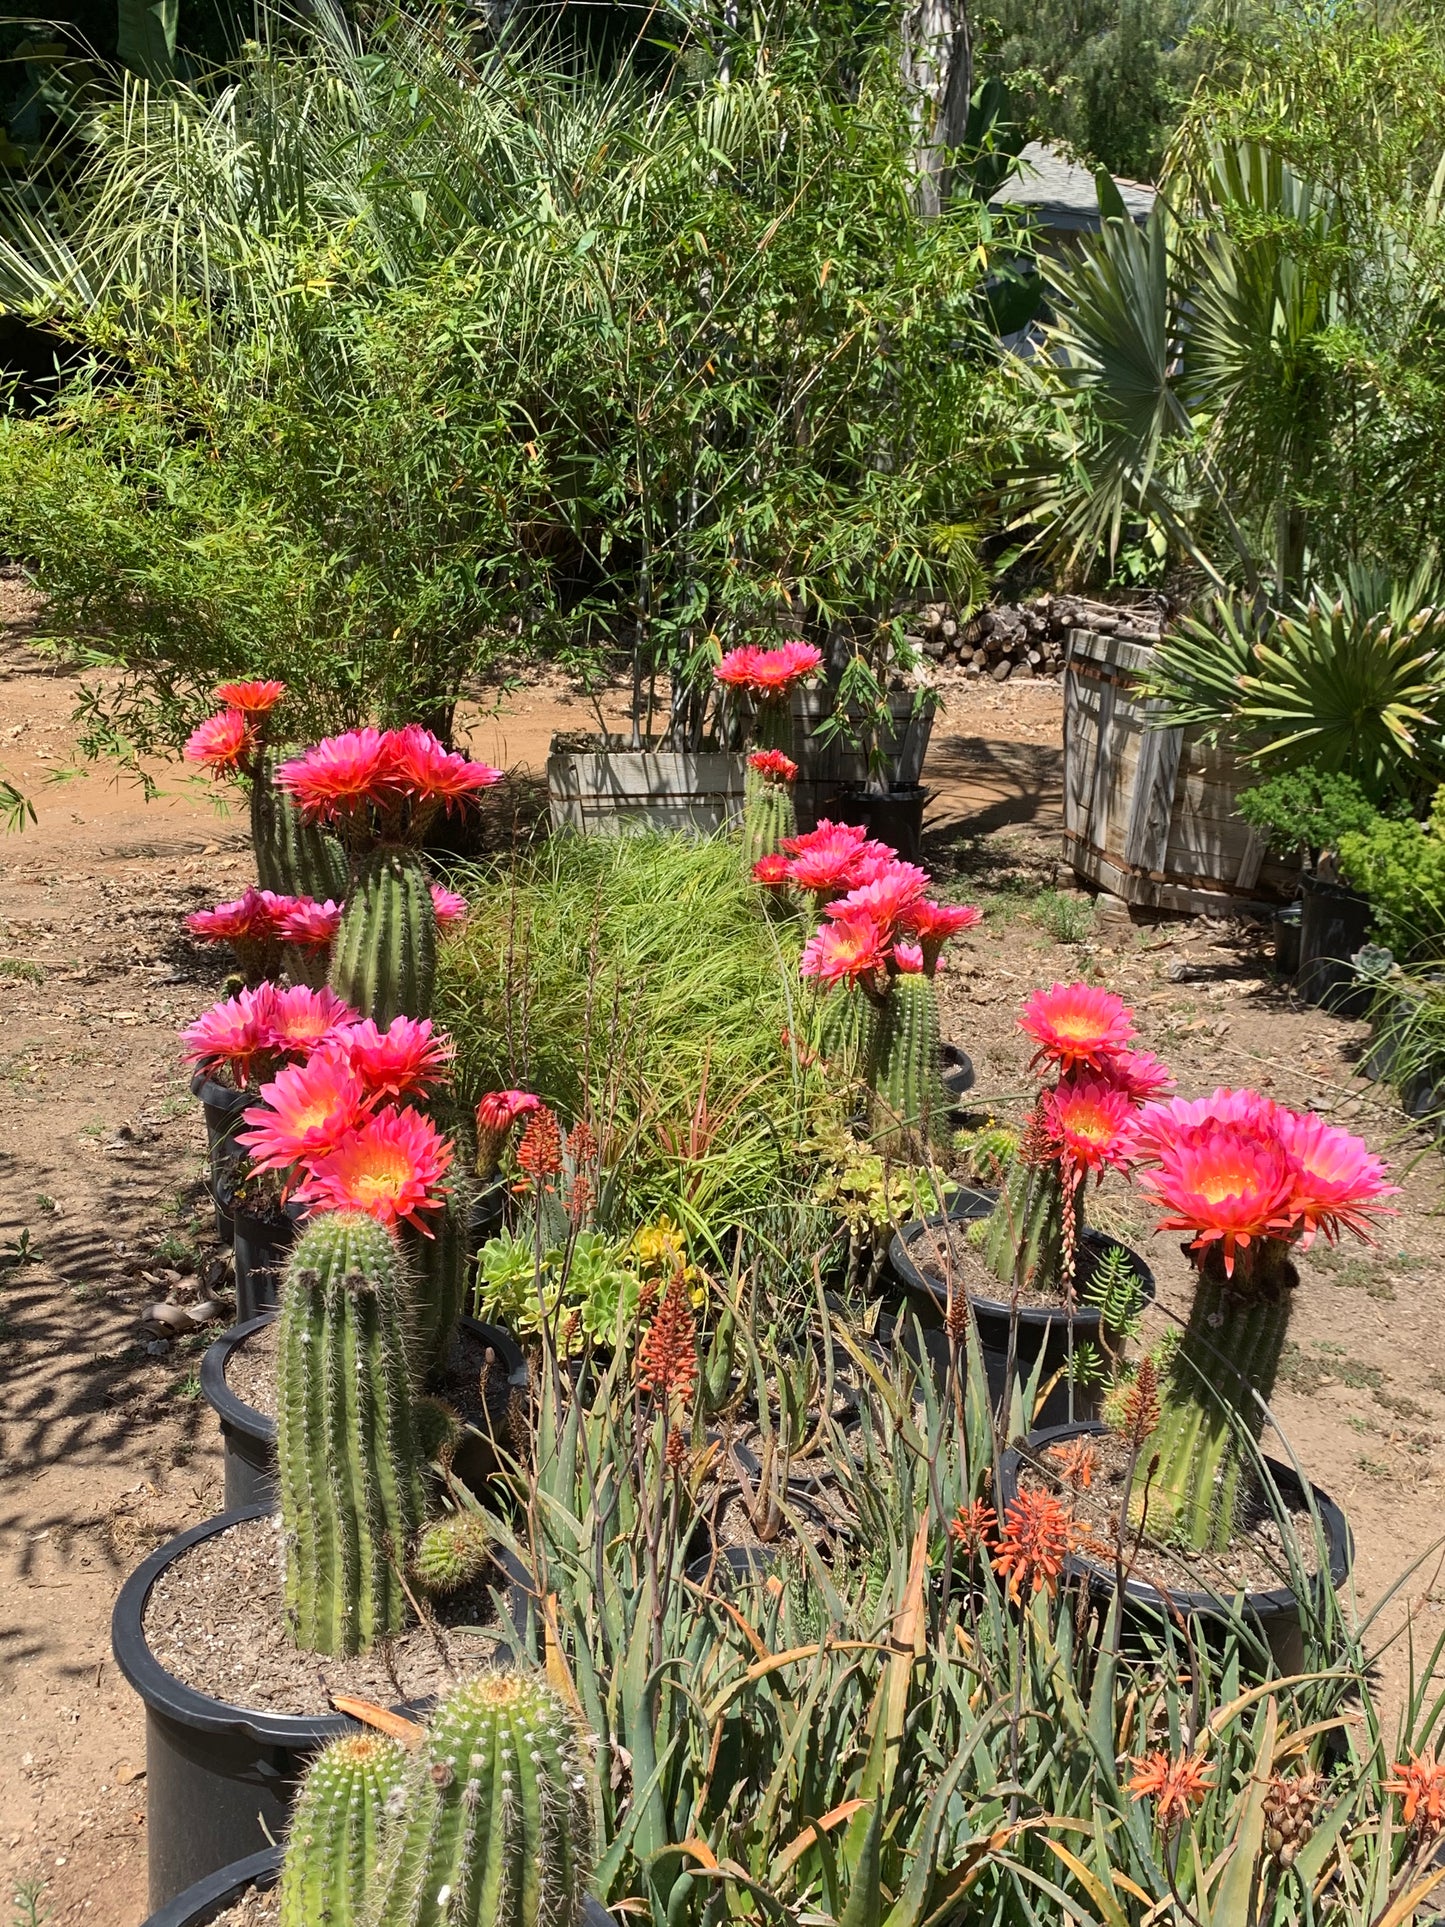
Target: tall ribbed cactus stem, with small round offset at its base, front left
[(352, 1471)]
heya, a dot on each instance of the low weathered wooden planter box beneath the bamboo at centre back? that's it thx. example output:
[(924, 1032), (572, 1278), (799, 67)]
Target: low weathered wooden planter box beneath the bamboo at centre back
[(612, 791)]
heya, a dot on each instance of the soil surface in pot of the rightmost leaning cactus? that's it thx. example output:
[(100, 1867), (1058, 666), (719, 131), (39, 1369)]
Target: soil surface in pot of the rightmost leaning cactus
[(1253, 1562)]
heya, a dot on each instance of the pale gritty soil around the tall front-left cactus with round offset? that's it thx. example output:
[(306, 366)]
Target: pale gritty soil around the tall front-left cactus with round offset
[(215, 1622)]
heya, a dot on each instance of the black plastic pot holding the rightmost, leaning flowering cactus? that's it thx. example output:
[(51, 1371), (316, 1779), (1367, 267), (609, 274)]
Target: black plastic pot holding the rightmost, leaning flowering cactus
[(1274, 1614)]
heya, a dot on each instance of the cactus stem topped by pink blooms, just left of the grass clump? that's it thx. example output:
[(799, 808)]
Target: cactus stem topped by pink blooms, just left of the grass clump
[(384, 961)]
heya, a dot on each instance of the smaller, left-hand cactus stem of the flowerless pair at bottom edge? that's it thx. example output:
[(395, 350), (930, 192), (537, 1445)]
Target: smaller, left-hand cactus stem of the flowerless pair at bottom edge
[(334, 1847)]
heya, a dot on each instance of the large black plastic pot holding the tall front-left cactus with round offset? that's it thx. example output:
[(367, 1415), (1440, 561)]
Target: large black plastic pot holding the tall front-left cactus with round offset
[(221, 1780)]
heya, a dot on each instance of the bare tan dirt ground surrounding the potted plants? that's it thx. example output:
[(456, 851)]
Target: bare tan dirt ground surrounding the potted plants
[(105, 1439)]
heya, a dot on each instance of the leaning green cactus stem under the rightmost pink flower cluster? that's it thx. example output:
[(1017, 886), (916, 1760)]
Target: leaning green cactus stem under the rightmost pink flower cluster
[(1228, 1356)]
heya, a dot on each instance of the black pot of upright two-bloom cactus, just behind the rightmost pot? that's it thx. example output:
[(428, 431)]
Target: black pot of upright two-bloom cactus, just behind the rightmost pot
[(1041, 1333)]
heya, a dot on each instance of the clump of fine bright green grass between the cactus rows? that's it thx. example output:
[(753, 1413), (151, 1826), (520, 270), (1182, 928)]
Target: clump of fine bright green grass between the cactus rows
[(637, 986)]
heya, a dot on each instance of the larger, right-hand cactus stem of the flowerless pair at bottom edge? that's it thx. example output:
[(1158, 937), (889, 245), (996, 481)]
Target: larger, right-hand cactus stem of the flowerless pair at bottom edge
[(498, 1814)]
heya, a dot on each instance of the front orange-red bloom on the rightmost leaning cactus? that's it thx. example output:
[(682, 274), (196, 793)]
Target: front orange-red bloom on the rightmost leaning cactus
[(1226, 1184)]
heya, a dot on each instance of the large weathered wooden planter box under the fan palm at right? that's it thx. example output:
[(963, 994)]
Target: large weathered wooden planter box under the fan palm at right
[(1151, 814)]
